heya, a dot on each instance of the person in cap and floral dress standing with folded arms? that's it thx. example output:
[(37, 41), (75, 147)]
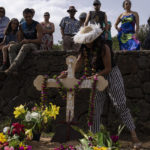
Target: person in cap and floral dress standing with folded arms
[(48, 30)]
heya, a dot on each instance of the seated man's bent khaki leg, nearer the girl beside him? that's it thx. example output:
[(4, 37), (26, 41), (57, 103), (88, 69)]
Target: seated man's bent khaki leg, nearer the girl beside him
[(13, 49)]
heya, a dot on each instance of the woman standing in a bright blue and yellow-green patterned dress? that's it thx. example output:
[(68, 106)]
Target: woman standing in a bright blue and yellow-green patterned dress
[(127, 34)]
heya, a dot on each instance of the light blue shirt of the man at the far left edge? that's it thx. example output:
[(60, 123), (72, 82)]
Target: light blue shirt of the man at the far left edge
[(3, 24)]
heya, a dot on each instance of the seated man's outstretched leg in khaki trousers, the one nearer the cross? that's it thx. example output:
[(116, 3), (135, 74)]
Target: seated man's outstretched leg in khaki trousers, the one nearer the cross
[(25, 49)]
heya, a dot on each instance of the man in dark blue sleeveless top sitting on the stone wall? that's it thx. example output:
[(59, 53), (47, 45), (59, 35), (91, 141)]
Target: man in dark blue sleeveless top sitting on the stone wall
[(30, 35)]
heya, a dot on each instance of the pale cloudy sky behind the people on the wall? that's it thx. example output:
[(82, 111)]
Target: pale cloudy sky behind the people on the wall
[(58, 10)]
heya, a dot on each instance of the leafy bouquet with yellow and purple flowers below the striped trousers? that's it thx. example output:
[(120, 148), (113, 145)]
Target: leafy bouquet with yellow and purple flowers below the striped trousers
[(99, 141)]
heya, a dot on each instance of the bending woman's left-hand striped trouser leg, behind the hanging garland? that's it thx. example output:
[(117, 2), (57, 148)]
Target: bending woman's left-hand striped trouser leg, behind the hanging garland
[(99, 103)]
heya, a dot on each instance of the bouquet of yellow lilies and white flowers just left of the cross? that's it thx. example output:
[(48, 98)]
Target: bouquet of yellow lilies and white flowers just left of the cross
[(36, 119)]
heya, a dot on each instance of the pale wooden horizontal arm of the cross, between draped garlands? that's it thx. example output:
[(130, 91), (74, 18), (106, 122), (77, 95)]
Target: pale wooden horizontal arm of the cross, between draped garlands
[(70, 82)]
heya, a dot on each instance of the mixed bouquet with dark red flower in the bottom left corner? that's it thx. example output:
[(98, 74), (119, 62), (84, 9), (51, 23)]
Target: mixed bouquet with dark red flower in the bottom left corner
[(13, 138)]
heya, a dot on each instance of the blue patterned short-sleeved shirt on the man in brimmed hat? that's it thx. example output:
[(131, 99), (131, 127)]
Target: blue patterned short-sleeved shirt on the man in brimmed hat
[(70, 26)]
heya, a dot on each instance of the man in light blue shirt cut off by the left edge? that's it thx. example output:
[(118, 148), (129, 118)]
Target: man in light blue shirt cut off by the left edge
[(3, 23)]
